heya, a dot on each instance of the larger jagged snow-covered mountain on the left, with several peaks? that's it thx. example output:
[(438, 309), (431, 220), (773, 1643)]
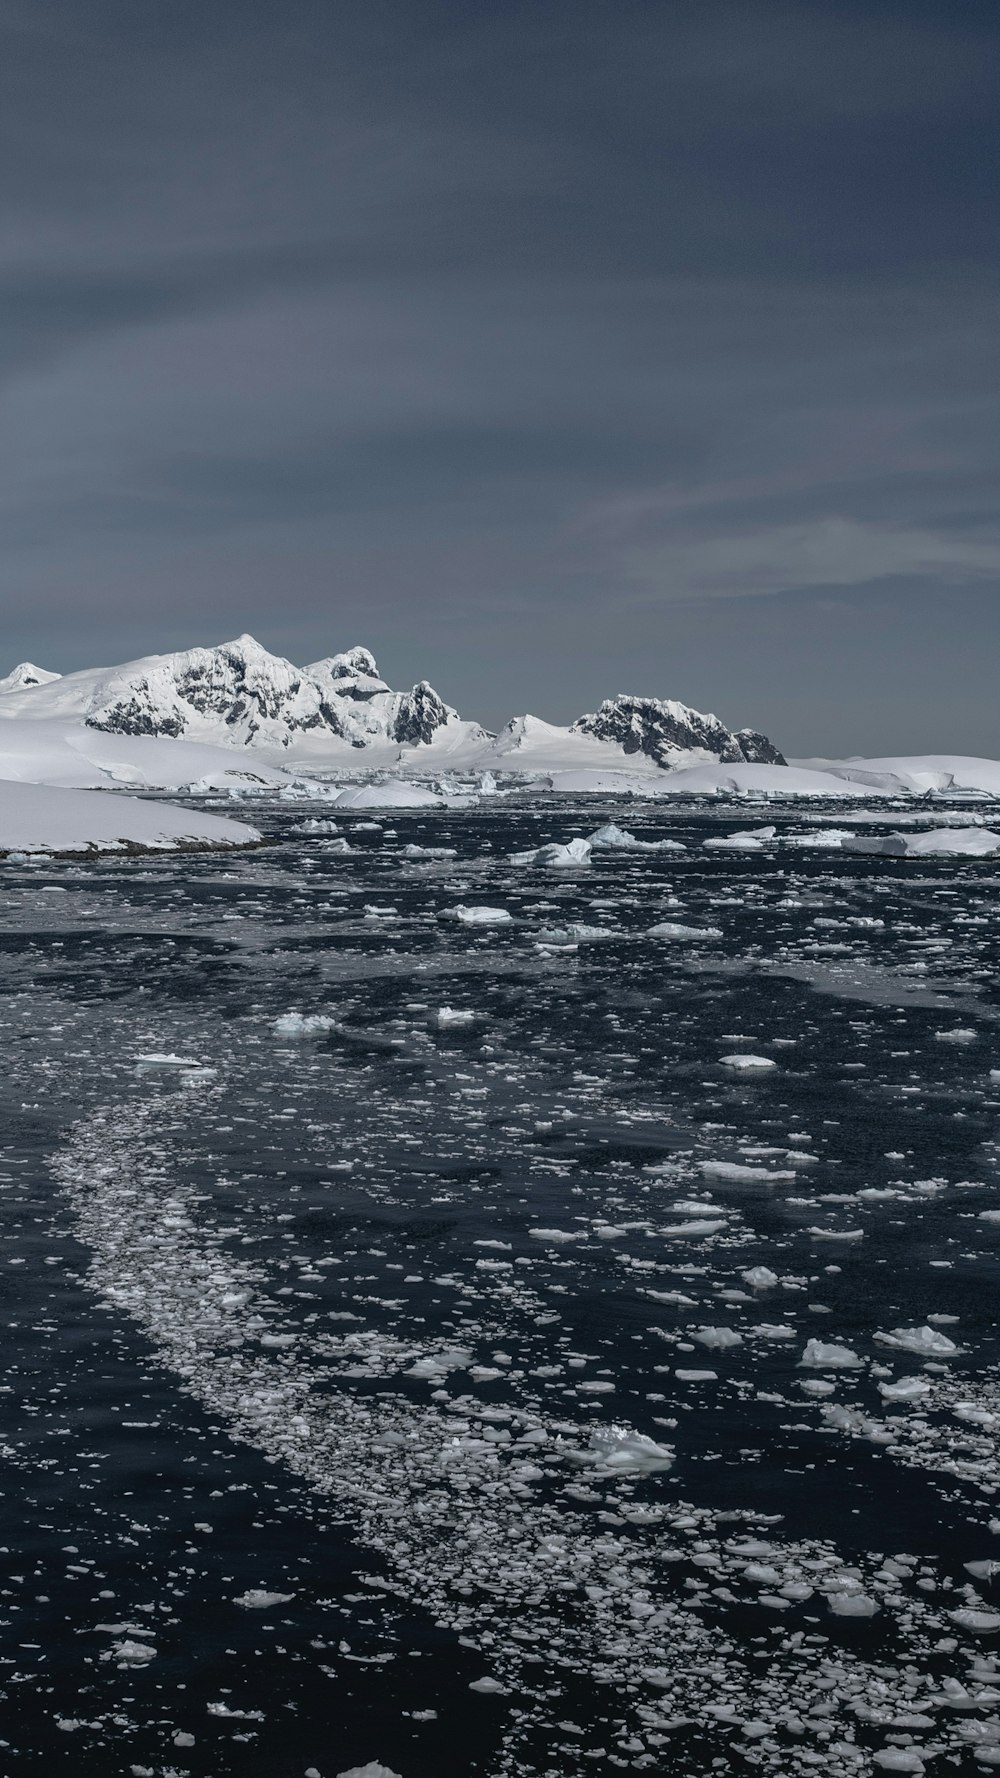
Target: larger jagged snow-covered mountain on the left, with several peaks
[(239, 694)]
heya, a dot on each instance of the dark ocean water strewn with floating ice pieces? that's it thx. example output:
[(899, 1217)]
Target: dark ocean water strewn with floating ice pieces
[(353, 1368)]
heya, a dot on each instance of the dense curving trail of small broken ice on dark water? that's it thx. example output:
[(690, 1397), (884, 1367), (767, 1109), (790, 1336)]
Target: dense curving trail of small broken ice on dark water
[(625, 1615)]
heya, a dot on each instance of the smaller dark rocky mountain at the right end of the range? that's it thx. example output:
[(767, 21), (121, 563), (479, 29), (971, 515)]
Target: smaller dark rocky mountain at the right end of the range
[(670, 733)]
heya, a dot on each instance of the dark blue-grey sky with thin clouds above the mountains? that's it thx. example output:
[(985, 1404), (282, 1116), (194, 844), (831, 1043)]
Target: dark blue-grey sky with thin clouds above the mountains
[(549, 349)]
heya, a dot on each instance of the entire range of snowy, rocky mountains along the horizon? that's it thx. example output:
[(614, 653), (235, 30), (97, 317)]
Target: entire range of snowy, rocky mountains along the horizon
[(339, 709)]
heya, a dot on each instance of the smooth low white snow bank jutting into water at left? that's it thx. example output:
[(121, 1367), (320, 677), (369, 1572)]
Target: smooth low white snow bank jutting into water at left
[(38, 819)]
